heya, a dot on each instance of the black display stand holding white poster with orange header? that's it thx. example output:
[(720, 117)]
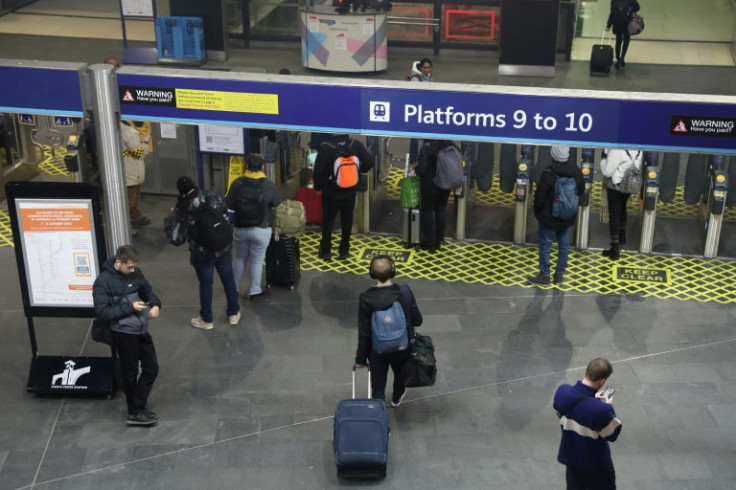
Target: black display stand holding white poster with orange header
[(59, 223)]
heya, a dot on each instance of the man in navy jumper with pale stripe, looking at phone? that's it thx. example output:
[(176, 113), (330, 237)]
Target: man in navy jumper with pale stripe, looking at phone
[(588, 424)]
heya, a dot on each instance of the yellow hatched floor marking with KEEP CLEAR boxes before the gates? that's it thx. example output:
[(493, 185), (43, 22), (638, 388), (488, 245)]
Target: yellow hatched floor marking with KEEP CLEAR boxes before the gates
[(497, 264)]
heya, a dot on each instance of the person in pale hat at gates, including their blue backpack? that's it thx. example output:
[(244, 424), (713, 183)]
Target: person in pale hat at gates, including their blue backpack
[(555, 207)]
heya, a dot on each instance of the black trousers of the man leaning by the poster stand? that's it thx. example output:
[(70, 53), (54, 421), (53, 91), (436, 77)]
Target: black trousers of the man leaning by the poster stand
[(136, 352)]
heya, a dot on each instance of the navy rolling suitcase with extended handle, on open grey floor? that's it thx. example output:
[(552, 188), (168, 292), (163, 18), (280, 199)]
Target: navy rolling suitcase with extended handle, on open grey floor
[(361, 436)]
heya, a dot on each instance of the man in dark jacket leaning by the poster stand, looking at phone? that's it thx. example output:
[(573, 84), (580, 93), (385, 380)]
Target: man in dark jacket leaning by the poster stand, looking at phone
[(124, 301)]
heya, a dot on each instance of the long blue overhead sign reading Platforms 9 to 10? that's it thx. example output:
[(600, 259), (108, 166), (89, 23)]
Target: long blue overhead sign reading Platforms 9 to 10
[(503, 114)]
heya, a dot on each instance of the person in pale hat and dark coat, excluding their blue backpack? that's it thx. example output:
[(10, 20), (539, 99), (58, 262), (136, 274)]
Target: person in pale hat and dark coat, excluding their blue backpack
[(551, 228)]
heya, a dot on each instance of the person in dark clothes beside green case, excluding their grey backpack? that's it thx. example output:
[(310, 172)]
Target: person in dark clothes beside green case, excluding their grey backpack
[(433, 200)]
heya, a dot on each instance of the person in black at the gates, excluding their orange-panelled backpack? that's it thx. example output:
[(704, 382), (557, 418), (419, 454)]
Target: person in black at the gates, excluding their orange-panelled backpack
[(334, 198)]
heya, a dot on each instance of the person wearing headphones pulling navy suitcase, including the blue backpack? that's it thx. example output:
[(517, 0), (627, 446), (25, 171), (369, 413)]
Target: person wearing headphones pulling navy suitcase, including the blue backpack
[(380, 308)]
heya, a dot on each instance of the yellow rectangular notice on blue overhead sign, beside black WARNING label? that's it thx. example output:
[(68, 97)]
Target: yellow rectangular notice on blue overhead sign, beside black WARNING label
[(209, 100)]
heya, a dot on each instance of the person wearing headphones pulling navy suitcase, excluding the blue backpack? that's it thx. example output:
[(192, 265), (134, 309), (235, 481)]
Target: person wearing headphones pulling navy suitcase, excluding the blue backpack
[(377, 298)]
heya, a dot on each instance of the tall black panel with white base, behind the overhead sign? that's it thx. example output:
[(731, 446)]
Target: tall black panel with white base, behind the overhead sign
[(528, 42)]
